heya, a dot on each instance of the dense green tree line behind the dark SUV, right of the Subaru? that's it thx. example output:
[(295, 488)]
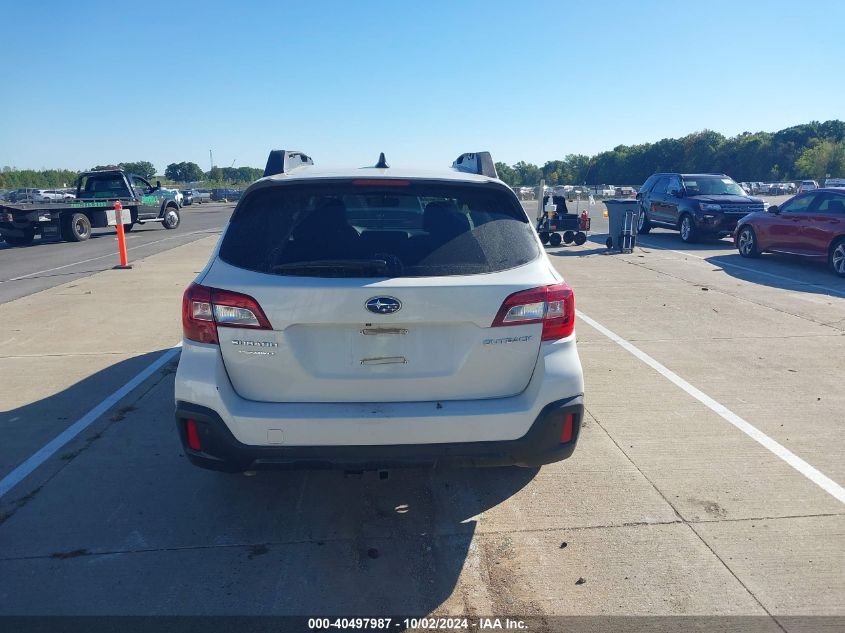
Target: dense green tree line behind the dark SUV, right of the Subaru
[(810, 151)]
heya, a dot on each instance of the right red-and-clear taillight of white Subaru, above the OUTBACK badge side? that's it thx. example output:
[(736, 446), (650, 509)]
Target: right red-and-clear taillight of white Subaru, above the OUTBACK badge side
[(553, 306)]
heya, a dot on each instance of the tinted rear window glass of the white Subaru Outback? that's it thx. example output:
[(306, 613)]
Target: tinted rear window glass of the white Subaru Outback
[(373, 230)]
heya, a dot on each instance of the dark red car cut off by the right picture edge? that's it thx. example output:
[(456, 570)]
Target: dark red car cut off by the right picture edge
[(811, 224)]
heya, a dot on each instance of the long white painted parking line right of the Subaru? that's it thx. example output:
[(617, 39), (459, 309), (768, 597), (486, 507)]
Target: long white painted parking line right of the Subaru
[(811, 473)]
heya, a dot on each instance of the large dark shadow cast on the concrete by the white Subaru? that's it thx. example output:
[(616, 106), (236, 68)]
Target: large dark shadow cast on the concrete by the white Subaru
[(120, 511)]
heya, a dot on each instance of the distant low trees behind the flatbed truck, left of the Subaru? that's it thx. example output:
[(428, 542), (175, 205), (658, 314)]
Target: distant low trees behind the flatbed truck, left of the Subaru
[(183, 172)]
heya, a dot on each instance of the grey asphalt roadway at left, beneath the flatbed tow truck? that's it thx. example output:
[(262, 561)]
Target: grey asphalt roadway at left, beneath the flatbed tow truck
[(24, 270)]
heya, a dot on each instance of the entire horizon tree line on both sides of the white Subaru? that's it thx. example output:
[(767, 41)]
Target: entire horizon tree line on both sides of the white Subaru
[(813, 150)]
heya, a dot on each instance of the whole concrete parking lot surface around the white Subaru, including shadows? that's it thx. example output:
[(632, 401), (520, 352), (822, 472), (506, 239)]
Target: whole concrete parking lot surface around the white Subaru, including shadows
[(706, 482)]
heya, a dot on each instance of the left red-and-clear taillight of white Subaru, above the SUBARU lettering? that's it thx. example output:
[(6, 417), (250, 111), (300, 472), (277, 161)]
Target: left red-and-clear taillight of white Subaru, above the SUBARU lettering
[(205, 309)]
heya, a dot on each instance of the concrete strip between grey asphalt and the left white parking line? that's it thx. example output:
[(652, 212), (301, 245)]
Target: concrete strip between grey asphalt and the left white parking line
[(65, 349)]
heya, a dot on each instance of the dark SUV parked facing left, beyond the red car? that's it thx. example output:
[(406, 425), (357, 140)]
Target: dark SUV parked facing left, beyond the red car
[(697, 205)]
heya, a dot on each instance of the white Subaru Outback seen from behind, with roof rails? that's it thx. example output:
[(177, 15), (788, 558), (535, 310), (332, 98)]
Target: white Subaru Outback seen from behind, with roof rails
[(373, 318)]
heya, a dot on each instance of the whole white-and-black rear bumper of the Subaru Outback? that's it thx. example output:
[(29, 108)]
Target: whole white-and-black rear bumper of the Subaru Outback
[(494, 431)]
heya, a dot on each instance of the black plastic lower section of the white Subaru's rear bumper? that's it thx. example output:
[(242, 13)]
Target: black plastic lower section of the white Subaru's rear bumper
[(540, 445)]
